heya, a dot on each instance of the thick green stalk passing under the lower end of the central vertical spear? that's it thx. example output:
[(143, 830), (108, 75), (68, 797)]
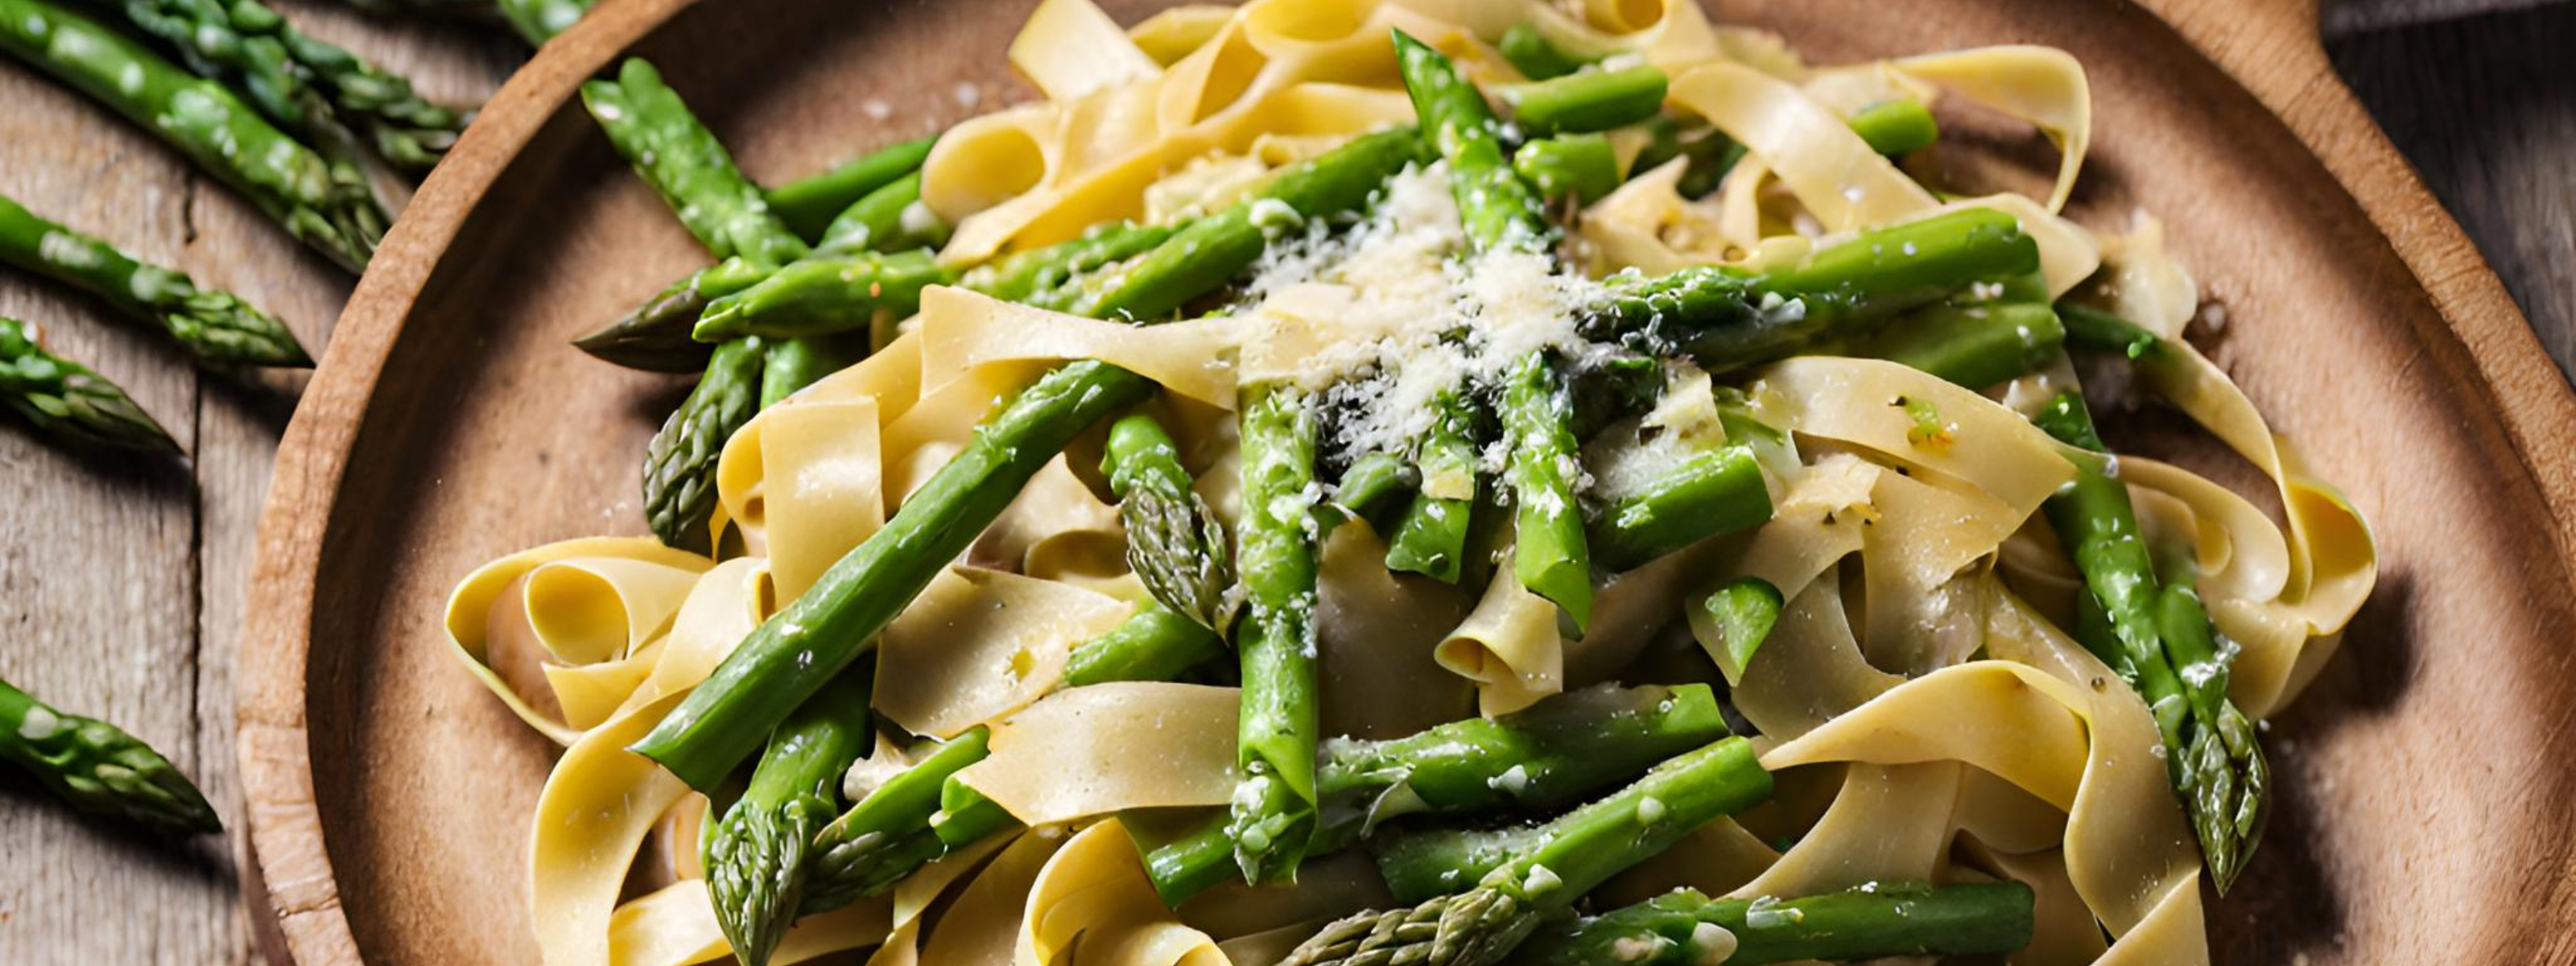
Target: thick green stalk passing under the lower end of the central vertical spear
[(1539, 759)]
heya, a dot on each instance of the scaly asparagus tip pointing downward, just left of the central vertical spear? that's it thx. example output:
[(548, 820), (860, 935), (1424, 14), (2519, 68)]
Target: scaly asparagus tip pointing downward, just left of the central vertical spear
[(1176, 545)]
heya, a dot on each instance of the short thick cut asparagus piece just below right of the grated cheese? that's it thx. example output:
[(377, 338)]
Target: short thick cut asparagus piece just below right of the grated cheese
[(1714, 493)]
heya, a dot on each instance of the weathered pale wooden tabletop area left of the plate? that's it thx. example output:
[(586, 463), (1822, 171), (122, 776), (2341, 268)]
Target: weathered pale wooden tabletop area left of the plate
[(122, 578)]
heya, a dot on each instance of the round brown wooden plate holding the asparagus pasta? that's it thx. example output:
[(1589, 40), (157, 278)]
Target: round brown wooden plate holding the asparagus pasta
[(2428, 777)]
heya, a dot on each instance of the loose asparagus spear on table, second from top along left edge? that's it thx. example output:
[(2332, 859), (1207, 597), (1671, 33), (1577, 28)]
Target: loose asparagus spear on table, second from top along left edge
[(218, 326)]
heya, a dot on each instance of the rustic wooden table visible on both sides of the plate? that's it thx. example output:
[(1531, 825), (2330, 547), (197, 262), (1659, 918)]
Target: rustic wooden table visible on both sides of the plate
[(122, 581)]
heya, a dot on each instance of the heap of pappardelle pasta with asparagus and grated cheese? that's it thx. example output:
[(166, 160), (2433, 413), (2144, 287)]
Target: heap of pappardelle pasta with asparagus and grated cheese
[(1413, 483)]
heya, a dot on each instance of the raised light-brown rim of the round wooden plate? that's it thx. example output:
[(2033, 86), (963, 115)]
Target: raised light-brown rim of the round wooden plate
[(2263, 45)]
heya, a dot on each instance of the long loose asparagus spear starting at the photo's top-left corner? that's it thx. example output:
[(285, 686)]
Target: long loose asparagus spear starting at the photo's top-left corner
[(200, 117)]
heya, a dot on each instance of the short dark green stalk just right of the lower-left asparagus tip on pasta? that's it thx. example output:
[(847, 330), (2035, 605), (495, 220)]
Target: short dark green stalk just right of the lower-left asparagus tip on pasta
[(887, 833)]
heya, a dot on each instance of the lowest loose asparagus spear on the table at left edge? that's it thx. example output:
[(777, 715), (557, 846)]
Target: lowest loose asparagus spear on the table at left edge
[(99, 769)]
